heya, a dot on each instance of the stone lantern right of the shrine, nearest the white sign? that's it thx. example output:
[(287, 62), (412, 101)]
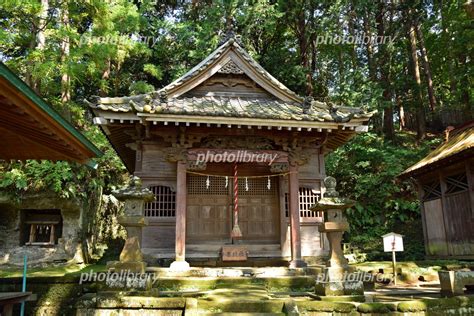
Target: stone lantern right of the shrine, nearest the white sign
[(336, 280)]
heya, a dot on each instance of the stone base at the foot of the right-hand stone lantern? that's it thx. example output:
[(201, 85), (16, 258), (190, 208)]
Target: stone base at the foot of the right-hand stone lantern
[(336, 281)]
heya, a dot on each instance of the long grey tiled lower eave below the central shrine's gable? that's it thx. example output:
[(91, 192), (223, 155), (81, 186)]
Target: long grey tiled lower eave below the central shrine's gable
[(232, 107)]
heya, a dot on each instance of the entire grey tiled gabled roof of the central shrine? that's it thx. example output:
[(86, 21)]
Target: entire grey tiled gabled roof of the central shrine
[(230, 57)]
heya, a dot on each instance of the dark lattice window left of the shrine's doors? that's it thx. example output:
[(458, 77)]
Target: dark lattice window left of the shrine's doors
[(164, 204)]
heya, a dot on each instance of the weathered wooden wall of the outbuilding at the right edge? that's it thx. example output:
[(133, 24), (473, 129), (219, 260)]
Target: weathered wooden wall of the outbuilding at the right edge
[(447, 197)]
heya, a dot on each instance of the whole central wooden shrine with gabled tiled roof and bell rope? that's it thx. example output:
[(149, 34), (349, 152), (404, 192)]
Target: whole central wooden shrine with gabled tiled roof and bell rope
[(228, 116)]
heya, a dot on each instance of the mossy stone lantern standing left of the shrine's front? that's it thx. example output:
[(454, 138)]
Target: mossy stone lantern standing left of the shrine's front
[(134, 198)]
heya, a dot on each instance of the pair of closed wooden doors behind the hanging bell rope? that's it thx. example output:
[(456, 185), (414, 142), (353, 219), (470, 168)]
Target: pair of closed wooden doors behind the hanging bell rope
[(209, 210)]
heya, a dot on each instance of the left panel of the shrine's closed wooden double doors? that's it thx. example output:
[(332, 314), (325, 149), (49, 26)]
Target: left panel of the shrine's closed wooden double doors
[(208, 215)]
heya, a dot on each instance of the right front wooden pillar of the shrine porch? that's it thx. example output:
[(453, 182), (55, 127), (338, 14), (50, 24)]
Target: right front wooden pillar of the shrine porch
[(293, 201)]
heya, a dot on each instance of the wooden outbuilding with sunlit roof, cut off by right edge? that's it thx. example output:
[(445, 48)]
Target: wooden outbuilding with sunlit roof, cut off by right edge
[(445, 180)]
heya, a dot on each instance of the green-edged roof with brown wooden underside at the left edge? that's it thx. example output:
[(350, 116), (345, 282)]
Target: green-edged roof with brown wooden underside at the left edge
[(31, 129)]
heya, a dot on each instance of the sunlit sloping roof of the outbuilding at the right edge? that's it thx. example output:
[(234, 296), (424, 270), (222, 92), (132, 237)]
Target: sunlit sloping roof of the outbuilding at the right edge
[(459, 145)]
